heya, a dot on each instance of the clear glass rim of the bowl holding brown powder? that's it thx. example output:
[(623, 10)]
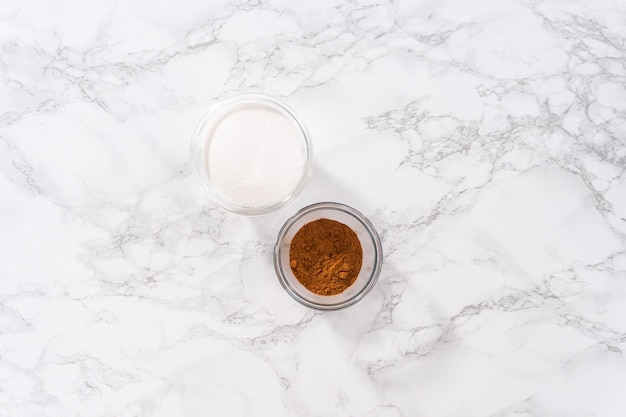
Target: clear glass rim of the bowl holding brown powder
[(378, 251)]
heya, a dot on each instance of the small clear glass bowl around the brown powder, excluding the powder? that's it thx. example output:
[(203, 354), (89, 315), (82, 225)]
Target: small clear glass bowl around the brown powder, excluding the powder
[(370, 243)]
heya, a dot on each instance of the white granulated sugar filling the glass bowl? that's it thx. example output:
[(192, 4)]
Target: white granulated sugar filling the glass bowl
[(256, 157)]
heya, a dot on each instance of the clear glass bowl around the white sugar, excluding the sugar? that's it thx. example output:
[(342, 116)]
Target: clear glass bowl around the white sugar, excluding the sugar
[(202, 137)]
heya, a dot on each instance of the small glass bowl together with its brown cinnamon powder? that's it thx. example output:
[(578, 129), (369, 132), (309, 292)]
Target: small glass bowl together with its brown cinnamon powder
[(328, 256)]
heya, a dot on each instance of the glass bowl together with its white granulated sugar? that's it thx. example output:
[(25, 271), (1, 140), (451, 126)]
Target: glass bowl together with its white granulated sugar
[(251, 154)]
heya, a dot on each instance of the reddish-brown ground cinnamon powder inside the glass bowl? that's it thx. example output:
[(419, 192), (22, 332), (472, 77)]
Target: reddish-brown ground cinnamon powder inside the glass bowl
[(325, 256)]
